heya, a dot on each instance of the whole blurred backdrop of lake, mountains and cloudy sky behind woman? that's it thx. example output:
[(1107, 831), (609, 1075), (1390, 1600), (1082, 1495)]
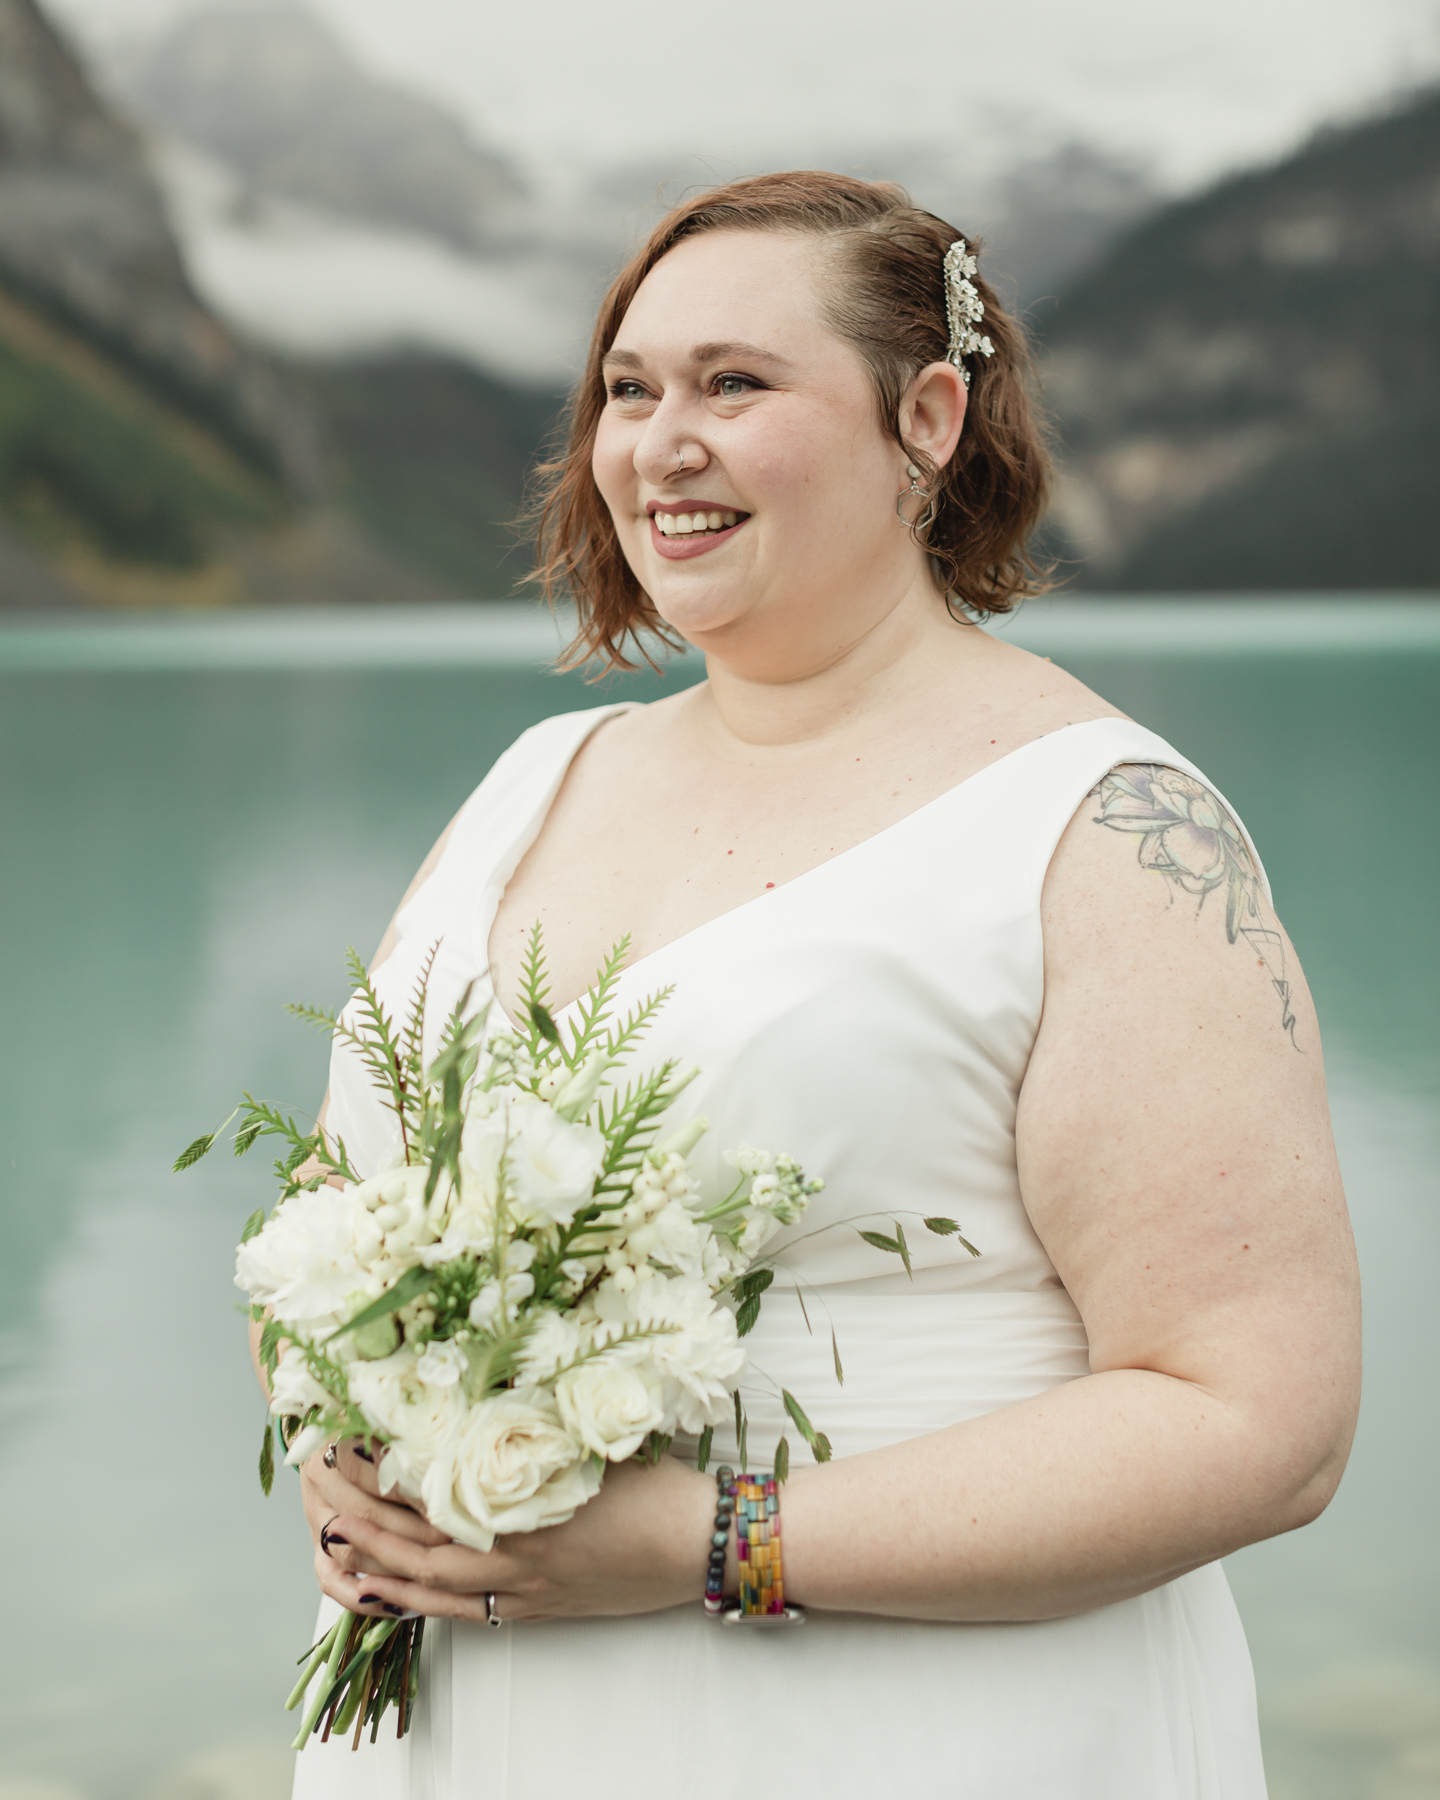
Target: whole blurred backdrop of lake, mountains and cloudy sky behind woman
[(289, 303)]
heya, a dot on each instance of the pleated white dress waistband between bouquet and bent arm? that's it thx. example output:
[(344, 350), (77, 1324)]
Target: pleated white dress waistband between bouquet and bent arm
[(913, 1363)]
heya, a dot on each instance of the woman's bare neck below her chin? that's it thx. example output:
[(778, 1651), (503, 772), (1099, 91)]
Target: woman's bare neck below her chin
[(834, 674)]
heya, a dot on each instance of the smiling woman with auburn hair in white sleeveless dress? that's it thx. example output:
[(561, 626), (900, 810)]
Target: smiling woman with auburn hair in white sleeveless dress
[(962, 939)]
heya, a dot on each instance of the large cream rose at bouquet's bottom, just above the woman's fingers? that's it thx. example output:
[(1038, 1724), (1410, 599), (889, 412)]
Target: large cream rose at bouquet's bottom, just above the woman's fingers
[(510, 1468)]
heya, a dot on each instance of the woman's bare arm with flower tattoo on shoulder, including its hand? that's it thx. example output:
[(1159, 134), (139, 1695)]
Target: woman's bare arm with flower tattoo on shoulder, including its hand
[(1176, 1158)]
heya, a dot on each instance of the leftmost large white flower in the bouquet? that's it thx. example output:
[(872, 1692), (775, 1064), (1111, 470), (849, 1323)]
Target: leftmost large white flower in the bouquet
[(307, 1263)]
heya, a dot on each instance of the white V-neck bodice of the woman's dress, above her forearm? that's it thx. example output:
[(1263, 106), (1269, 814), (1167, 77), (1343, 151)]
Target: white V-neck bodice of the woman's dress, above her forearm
[(872, 1018)]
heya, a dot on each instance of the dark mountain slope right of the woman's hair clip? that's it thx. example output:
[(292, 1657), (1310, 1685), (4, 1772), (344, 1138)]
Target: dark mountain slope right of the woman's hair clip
[(1248, 384)]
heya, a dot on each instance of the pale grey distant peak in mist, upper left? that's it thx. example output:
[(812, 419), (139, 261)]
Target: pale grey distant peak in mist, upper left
[(271, 94)]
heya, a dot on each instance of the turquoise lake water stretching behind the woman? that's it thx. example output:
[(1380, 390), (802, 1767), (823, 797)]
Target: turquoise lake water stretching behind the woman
[(201, 814)]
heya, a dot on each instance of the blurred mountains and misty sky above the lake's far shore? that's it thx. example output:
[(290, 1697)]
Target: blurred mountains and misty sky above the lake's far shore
[(289, 294)]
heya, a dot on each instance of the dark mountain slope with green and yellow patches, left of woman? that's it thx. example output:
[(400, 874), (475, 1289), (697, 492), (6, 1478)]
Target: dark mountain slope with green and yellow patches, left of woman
[(150, 456)]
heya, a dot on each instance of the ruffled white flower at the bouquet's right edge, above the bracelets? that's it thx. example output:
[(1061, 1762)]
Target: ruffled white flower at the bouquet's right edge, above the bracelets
[(692, 1344)]
